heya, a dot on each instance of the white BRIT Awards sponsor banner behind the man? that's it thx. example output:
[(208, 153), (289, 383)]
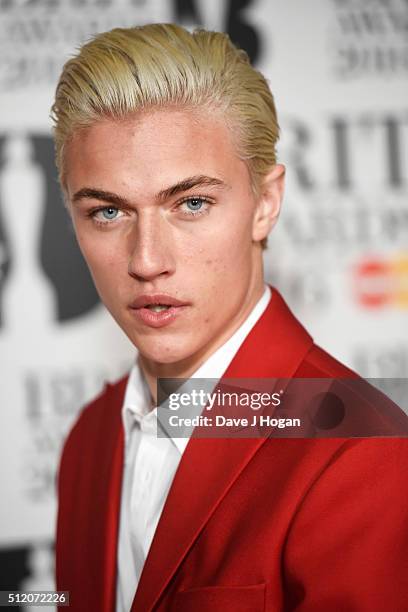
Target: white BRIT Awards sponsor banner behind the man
[(339, 254)]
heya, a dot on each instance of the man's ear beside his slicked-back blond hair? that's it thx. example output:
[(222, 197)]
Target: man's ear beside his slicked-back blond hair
[(269, 202)]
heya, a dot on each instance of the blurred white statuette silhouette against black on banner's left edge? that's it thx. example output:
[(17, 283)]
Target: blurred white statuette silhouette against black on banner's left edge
[(28, 298)]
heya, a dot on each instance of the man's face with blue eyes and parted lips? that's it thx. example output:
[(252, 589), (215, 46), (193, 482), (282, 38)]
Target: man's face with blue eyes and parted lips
[(163, 210)]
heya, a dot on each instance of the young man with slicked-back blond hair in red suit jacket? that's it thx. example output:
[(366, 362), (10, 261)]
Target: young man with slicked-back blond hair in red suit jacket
[(166, 150)]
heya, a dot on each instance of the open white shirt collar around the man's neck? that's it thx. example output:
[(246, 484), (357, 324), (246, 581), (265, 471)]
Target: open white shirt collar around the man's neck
[(137, 404)]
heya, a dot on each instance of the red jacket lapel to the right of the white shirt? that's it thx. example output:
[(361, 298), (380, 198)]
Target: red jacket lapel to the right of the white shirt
[(275, 347)]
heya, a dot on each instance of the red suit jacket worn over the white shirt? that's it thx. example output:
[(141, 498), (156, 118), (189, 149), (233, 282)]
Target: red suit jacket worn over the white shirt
[(249, 524)]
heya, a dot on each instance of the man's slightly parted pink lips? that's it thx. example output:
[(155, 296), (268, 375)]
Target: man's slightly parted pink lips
[(168, 309)]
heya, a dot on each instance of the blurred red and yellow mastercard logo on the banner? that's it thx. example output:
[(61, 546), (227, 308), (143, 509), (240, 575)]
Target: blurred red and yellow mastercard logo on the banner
[(381, 282)]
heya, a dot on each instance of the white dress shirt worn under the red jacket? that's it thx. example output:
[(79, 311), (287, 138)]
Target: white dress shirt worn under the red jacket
[(151, 462)]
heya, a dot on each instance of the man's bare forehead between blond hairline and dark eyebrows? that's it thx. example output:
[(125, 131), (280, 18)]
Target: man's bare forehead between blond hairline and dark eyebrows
[(152, 149)]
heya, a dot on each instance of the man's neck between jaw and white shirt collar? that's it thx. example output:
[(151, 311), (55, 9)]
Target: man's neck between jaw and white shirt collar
[(184, 368)]
